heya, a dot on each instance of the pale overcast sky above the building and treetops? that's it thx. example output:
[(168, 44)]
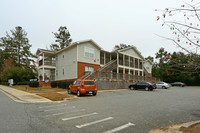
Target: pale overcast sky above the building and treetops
[(107, 22)]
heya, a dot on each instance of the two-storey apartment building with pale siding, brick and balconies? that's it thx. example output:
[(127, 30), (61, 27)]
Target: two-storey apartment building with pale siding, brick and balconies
[(83, 57)]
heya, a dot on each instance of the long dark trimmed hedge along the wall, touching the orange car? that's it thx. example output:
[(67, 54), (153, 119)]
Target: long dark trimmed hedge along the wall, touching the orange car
[(61, 84)]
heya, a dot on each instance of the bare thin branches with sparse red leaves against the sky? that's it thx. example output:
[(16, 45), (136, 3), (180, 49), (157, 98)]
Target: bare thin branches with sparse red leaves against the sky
[(184, 23)]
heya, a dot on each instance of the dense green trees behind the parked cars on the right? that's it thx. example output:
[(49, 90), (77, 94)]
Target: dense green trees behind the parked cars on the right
[(177, 66)]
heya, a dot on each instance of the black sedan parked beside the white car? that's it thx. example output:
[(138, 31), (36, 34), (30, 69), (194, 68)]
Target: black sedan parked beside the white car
[(142, 85)]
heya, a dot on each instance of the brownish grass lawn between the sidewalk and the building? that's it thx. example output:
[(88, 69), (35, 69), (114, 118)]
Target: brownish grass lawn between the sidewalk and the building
[(54, 94)]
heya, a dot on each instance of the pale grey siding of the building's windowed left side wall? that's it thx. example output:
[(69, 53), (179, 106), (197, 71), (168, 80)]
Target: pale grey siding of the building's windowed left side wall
[(68, 63)]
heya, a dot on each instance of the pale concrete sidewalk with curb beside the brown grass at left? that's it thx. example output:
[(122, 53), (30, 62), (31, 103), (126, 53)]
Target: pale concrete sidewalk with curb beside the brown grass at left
[(21, 96)]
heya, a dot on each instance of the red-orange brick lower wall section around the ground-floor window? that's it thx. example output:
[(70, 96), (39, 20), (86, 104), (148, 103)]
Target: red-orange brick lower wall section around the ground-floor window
[(81, 68)]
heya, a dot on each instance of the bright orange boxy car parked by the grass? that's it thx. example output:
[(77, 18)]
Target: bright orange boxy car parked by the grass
[(82, 87)]
